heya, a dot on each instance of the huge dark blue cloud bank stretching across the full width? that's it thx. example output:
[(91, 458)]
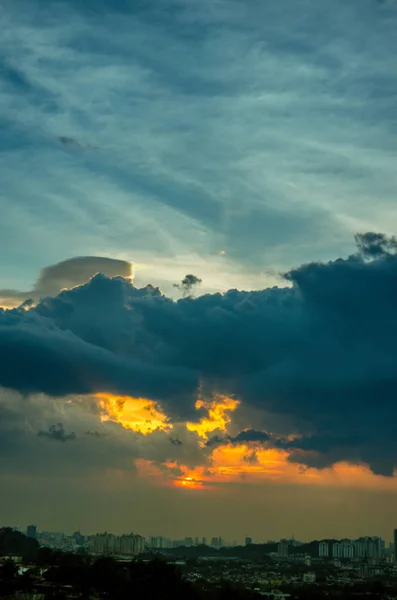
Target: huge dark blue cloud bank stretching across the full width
[(321, 352)]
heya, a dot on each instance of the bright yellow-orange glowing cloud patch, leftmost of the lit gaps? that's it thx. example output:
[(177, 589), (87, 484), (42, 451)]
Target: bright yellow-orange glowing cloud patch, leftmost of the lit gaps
[(138, 414)]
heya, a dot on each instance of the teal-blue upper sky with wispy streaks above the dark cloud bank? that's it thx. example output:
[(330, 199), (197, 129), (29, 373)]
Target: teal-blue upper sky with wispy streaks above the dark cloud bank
[(232, 139)]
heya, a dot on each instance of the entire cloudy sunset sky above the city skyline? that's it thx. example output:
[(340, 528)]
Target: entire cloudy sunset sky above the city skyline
[(251, 145)]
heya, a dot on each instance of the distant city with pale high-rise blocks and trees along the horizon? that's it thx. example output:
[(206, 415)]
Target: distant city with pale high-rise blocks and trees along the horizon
[(274, 569)]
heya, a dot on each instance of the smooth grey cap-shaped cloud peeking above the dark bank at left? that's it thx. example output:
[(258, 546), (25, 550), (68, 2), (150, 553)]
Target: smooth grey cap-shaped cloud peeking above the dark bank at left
[(67, 274)]
